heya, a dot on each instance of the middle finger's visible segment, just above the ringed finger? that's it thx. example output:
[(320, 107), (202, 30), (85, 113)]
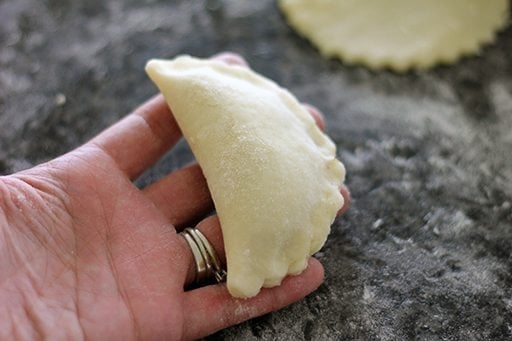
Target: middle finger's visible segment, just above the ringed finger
[(182, 196)]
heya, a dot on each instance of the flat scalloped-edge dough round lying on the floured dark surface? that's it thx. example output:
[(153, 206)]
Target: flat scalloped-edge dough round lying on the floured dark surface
[(399, 34)]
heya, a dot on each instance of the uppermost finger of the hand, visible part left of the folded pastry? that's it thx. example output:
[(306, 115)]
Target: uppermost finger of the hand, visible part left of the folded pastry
[(138, 140)]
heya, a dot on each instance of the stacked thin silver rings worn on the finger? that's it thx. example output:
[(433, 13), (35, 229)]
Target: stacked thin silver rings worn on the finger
[(207, 262)]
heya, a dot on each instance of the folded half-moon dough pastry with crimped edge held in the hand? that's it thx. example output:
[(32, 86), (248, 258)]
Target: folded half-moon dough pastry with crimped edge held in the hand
[(272, 173)]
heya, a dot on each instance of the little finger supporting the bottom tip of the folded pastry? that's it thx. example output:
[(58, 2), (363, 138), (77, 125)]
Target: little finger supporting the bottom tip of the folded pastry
[(212, 308)]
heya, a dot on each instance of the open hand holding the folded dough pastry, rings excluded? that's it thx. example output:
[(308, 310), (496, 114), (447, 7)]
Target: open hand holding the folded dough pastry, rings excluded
[(84, 253)]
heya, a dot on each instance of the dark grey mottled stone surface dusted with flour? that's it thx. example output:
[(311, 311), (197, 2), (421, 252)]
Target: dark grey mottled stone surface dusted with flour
[(424, 252)]
